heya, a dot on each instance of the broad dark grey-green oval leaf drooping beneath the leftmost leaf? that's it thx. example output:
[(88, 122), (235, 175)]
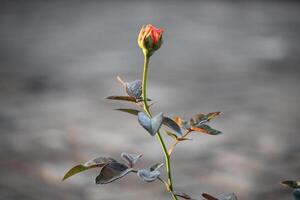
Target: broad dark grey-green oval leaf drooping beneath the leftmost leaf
[(112, 172)]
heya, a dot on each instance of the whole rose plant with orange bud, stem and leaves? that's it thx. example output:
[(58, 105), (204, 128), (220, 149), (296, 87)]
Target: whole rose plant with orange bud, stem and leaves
[(150, 40)]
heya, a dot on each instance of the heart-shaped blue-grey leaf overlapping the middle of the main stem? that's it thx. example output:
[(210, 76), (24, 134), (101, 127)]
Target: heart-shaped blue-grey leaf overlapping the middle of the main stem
[(152, 125)]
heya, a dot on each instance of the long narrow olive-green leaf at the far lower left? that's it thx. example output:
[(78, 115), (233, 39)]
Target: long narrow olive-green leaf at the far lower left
[(95, 162)]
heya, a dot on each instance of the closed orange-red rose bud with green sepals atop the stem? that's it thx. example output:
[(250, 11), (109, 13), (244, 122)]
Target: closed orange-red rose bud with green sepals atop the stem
[(150, 39)]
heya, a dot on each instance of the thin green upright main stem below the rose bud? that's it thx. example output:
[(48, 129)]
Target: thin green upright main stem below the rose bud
[(158, 135)]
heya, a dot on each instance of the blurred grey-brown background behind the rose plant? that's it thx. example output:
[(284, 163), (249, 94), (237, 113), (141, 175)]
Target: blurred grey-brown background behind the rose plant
[(59, 60)]
